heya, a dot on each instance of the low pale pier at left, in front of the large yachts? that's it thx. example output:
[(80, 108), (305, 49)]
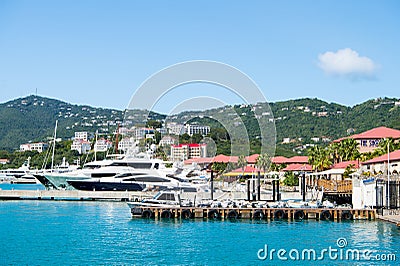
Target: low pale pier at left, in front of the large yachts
[(73, 195)]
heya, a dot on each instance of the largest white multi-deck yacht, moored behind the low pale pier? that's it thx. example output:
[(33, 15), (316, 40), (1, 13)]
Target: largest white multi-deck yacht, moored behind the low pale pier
[(138, 166)]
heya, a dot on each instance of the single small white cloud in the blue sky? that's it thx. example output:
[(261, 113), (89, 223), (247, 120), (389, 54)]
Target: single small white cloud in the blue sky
[(347, 63)]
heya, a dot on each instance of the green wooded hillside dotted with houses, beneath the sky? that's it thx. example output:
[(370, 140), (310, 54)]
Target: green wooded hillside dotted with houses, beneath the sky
[(298, 122)]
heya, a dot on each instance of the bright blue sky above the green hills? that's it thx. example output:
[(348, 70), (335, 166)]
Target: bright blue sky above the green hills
[(100, 52)]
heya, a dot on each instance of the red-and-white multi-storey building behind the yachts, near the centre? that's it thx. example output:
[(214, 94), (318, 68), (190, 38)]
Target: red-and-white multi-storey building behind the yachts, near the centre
[(188, 151)]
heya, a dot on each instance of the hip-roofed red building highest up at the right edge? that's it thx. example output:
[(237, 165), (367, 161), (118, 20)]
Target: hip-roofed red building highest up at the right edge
[(369, 140)]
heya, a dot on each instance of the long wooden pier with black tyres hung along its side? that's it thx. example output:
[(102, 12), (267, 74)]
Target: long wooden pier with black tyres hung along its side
[(252, 213)]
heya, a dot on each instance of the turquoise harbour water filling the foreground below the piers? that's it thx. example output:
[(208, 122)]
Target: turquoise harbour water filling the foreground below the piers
[(88, 233)]
